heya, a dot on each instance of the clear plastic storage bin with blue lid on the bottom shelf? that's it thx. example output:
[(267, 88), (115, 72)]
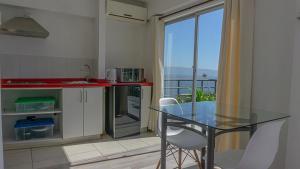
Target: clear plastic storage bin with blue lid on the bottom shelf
[(37, 128)]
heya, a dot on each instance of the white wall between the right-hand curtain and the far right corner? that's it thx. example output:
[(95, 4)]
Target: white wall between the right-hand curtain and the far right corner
[(273, 46)]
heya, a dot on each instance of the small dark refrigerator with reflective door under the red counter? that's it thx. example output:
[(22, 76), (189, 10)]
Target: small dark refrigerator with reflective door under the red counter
[(123, 111)]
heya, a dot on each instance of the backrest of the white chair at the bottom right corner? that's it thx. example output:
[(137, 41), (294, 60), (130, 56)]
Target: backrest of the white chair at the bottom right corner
[(262, 147)]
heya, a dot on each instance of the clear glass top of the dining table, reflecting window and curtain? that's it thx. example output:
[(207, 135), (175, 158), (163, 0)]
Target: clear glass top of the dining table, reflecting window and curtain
[(205, 113)]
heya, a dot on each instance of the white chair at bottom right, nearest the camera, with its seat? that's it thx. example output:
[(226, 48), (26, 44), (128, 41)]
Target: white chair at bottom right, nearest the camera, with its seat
[(259, 153)]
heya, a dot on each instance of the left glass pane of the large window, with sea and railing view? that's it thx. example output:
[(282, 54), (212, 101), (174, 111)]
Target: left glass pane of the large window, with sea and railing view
[(178, 58)]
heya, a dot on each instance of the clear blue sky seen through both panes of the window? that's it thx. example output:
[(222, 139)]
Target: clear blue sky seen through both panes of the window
[(179, 41)]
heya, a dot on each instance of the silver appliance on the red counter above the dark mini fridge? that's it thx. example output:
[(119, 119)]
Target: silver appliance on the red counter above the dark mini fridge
[(125, 75)]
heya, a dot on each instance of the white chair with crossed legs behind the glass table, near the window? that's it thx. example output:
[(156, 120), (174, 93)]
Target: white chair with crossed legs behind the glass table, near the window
[(182, 140)]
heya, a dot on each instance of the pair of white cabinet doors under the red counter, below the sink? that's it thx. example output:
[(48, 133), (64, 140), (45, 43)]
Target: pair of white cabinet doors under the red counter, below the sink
[(82, 112)]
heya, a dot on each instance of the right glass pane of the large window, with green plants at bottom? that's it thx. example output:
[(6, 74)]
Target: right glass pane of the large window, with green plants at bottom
[(209, 42)]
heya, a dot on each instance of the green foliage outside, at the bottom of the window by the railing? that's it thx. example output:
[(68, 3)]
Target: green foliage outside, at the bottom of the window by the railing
[(200, 96)]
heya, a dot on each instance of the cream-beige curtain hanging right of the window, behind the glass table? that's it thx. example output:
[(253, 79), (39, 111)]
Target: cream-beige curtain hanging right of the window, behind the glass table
[(235, 67)]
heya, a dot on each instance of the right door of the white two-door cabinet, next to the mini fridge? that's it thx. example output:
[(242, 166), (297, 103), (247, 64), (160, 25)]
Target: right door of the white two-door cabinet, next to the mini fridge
[(93, 111)]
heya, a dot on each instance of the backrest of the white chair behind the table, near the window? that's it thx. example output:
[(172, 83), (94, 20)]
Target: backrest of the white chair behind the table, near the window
[(165, 102)]
